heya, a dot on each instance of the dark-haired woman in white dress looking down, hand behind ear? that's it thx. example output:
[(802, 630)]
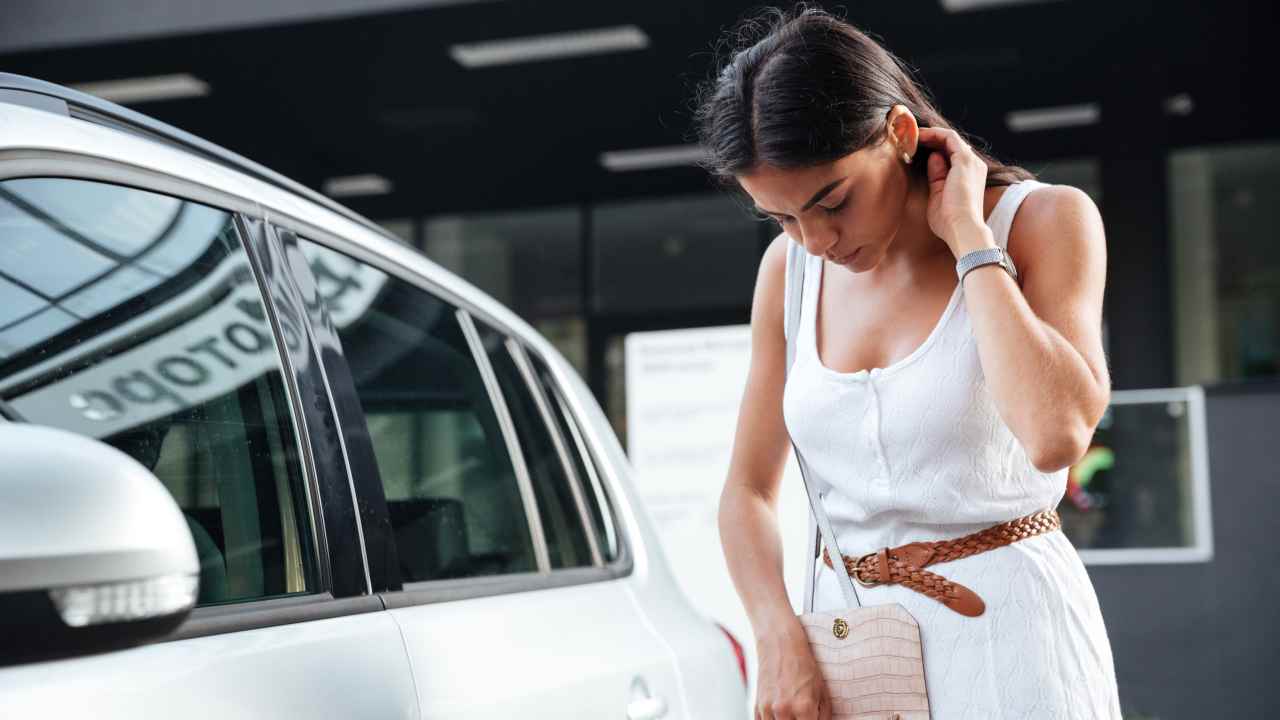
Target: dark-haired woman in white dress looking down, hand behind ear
[(927, 408)]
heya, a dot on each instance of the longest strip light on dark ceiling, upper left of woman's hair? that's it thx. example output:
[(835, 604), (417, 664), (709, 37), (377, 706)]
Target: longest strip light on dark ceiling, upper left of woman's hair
[(550, 47)]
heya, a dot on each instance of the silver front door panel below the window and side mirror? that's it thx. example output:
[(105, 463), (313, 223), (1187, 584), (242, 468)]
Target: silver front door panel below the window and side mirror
[(351, 667)]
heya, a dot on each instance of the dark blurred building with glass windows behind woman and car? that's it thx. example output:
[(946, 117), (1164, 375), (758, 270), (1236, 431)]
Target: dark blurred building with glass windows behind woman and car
[(542, 152)]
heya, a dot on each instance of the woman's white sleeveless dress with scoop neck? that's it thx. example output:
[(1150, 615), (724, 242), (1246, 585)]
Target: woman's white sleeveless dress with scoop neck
[(918, 452)]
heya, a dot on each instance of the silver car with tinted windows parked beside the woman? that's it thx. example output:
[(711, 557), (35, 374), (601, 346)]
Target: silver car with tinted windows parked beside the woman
[(258, 459)]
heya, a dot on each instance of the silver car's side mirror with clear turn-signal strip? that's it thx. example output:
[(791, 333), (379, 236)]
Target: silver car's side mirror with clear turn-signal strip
[(95, 554)]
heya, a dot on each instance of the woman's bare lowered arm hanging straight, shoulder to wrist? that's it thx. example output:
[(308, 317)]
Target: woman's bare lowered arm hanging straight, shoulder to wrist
[(748, 508)]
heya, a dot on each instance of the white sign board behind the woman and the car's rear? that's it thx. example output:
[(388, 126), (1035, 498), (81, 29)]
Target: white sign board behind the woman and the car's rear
[(684, 390)]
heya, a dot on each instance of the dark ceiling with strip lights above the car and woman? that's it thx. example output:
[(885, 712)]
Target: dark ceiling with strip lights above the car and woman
[(380, 94)]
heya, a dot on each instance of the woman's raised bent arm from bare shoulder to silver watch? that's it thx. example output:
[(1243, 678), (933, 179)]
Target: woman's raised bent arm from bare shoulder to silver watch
[(1041, 347)]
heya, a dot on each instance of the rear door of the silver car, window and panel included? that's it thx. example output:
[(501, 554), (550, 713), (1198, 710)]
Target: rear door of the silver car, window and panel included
[(509, 604)]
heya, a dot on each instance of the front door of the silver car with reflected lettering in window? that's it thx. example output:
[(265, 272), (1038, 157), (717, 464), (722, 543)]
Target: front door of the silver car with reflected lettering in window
[(139, 318)]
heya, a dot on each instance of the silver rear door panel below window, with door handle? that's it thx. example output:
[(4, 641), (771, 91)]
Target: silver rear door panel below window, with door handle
[(573, 651)]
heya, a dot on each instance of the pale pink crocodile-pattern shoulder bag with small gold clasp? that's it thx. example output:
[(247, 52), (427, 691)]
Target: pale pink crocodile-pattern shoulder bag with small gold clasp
[(872, 662)]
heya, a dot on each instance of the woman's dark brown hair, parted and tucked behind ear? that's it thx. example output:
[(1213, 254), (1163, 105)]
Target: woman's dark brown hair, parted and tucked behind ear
[(804, 88)]
